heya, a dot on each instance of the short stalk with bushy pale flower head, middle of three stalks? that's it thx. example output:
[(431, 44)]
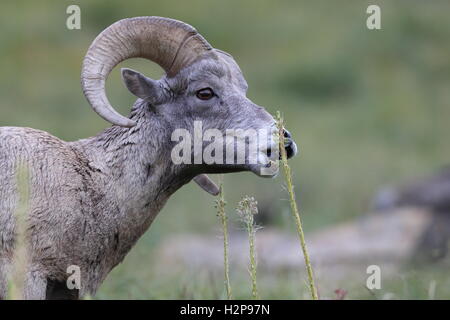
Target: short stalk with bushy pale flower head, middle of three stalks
[(246, 210)]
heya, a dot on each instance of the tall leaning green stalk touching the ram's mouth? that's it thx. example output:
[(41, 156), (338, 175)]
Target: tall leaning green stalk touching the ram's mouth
[(294, 209)]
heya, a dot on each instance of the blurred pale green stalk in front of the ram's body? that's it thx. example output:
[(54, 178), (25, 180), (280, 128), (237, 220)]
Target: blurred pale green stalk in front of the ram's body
[(20, 260)]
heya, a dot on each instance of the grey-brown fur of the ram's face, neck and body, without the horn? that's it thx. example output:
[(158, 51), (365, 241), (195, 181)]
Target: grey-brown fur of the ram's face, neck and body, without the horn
[(92, 199)]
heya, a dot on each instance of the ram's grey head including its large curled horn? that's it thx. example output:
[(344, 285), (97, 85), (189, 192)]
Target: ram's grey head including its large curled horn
[(202, 93)]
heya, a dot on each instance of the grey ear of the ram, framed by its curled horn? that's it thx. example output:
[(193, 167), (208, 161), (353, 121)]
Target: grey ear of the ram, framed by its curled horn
[(141, 86)]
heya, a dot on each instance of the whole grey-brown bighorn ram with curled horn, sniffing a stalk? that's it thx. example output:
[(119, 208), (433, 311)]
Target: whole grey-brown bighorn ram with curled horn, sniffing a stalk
[(92, 199)]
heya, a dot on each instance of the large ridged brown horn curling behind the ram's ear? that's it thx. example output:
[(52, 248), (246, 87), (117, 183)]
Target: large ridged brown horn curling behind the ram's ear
[(170, 43)]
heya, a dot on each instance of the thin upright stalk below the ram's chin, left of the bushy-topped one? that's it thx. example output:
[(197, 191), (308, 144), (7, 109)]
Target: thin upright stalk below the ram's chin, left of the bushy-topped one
[(220, 206)]
